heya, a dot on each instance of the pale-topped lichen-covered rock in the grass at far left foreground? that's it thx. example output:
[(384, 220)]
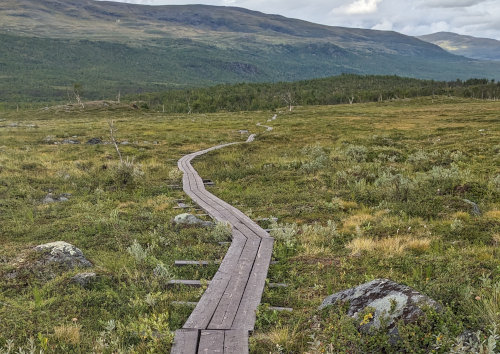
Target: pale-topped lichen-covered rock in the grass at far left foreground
[(63, 253)]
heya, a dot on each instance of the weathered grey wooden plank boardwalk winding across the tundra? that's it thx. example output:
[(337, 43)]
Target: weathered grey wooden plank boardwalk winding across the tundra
[(225, 314)]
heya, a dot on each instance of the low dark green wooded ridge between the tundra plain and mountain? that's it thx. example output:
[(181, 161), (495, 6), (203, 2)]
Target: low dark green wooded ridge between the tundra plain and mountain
[(347, 88)]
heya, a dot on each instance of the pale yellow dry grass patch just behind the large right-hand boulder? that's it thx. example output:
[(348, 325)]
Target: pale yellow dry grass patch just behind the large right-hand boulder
[(390, 245)]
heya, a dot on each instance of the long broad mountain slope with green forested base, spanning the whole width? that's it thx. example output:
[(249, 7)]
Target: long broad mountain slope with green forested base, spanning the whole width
[(107, 46)]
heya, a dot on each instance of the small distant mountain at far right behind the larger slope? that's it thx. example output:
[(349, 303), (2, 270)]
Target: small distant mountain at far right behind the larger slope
[(468, 46)]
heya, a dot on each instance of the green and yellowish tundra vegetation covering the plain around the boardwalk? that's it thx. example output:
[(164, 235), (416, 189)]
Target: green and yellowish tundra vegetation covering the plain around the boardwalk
[(361, 191)]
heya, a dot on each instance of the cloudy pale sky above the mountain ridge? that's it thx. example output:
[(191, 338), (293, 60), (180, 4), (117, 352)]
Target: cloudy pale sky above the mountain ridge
[(414, 17)]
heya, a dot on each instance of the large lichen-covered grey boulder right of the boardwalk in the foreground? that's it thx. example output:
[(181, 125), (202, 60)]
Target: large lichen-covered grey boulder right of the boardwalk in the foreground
[(382, 299)]
